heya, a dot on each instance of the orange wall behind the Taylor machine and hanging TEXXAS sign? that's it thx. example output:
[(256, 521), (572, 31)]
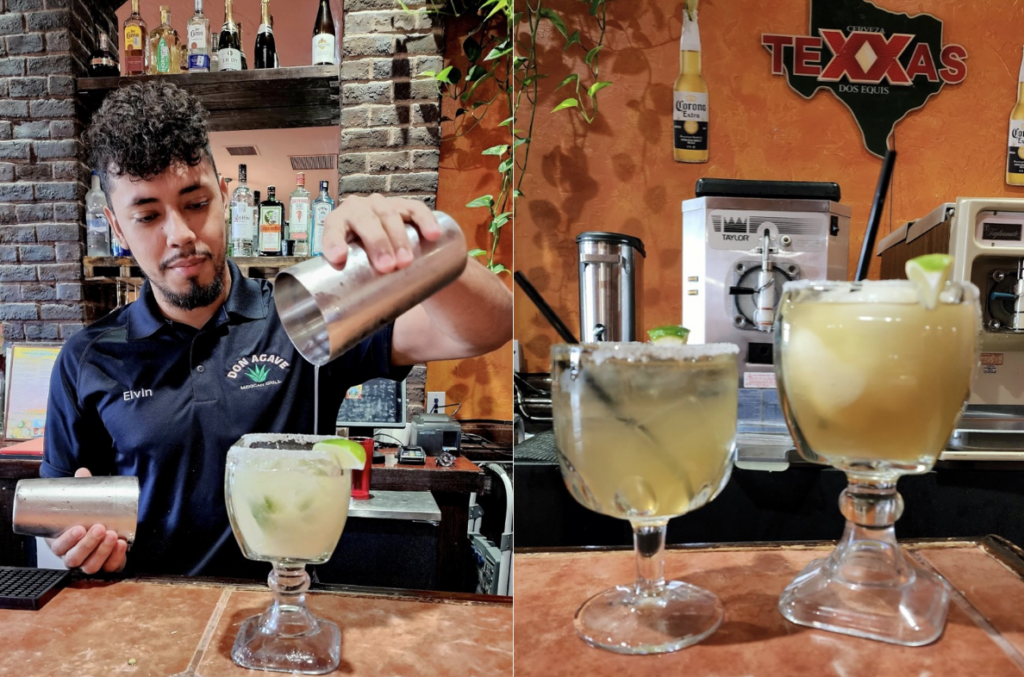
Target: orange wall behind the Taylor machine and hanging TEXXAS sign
[(618, 175)]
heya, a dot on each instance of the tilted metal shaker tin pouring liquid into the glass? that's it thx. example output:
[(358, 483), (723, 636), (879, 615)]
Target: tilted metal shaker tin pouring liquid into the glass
[(327, 312)]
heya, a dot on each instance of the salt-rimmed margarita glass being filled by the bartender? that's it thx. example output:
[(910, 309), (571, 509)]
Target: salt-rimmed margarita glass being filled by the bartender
[(288, 505)]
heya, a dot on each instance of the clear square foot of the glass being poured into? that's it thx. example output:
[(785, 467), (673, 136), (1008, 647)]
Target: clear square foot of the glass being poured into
[(314, 653)]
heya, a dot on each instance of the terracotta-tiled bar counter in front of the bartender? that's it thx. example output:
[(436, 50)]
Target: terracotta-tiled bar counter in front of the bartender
[(187, 627)]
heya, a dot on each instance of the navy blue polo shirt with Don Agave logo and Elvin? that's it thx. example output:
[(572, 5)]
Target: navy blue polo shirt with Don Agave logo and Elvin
[(137, 394)]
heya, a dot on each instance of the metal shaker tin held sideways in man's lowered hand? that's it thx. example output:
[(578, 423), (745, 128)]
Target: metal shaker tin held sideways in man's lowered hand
[(50, 507)]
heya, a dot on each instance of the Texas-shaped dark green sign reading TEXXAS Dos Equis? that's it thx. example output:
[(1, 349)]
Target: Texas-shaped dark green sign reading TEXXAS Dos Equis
[(881, 65)]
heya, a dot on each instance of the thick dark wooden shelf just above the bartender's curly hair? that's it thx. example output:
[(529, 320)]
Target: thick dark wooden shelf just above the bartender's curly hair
[(269, 99)]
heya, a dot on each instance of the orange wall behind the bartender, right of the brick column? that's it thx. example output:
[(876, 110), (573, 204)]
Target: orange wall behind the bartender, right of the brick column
[(484, 386)]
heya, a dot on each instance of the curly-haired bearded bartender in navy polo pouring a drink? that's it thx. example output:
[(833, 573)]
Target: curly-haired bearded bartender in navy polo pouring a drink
[(147, 391)]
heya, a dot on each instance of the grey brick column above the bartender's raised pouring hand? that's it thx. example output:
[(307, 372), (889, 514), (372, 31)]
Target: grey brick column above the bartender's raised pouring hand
[(391, 133)]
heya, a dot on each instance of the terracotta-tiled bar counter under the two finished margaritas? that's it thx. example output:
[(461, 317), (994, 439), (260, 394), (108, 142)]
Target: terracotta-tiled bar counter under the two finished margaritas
[(985, 634)]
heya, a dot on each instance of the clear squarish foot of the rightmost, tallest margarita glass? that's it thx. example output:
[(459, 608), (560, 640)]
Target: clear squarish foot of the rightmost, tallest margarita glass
[(911, 612)]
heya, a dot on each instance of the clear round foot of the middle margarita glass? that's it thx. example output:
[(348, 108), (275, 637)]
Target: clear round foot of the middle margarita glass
[(676, 616)]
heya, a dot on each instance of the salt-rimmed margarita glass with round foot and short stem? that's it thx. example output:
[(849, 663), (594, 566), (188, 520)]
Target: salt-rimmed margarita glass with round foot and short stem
[(646, 433)]
